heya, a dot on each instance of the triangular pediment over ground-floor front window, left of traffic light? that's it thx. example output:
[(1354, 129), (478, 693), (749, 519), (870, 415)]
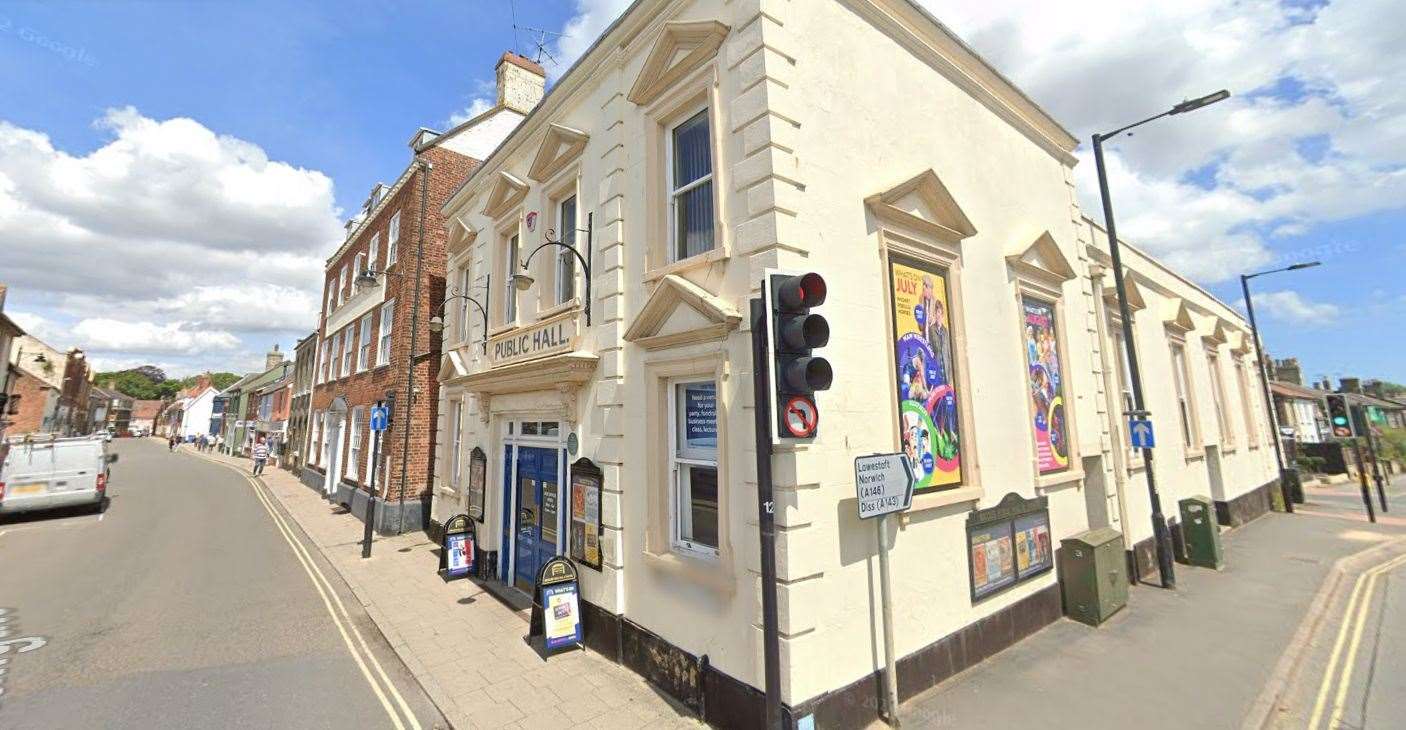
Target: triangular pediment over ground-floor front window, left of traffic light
[(681, 313)]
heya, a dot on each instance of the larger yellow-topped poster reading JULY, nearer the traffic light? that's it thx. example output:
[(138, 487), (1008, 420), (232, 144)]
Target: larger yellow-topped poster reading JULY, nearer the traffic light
[(927, 395)]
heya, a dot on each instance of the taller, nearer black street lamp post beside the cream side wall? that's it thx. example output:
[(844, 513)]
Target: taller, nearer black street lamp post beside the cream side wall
[(1162, 538)]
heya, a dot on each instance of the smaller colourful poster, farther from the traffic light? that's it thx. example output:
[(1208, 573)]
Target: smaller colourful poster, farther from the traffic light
[(1047, 386)]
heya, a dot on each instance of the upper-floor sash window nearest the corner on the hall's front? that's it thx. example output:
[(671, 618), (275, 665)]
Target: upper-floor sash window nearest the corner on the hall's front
[(691, 188)]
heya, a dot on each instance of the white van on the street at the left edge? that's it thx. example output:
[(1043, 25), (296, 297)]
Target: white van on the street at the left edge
[(46, 473)]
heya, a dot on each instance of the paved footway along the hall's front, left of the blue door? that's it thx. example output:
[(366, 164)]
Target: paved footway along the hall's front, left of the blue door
[(465, 645)]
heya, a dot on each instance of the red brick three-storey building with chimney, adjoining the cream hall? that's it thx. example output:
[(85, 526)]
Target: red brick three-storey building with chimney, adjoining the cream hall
[(382, 288)]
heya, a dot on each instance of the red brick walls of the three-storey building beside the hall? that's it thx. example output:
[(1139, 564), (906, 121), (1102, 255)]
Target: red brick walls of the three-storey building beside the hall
[(449, 171)]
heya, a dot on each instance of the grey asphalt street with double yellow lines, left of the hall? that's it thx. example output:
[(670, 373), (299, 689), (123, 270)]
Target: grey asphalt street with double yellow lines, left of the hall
[(186, 606)]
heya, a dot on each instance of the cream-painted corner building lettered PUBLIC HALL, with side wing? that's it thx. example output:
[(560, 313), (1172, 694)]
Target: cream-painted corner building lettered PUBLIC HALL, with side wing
[(699, 144)]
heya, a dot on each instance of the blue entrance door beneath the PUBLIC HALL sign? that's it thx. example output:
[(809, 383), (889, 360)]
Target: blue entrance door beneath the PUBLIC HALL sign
[(535, 523)]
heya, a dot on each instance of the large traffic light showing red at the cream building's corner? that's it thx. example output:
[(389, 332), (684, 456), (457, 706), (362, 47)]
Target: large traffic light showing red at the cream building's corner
[(795, 333)]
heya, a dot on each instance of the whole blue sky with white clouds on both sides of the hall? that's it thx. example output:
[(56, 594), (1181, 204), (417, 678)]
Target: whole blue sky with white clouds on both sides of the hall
[(150, 102)]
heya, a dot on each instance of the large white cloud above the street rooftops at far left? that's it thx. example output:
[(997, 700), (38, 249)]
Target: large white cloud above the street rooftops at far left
[(169, 243)]
